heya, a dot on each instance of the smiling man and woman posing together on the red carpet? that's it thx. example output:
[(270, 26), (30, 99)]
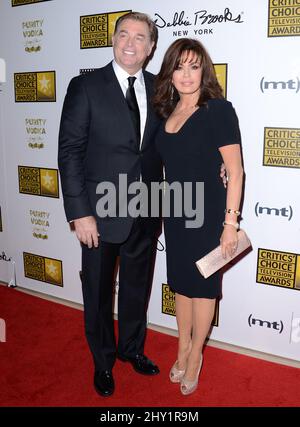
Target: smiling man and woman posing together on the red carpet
[(120, 119)]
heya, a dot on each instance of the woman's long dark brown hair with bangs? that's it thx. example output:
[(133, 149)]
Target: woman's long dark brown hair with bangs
[(165, 95)]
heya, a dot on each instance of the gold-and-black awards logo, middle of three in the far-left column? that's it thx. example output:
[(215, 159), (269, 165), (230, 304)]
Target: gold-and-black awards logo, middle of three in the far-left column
[(38, 181)]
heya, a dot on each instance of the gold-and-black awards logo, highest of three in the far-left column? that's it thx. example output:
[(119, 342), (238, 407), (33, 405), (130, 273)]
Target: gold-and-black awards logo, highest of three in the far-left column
[(35, 86)]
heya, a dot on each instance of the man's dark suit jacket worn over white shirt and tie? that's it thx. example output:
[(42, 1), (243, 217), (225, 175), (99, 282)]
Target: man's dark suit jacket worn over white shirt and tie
[(97, 142)]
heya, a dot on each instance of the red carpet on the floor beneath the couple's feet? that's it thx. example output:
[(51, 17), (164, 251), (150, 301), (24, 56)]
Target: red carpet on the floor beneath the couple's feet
[(45, 361)]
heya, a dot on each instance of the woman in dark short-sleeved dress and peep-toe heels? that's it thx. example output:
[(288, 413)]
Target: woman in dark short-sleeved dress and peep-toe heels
[(200, 131)]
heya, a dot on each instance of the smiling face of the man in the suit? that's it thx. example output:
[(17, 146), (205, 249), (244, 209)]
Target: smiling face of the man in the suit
[(132, 45)]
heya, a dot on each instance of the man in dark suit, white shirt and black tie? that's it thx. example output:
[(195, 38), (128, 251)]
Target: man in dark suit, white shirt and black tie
[(107, 129)]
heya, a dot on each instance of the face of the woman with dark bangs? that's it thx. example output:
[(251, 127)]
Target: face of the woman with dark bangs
[(187, 77)]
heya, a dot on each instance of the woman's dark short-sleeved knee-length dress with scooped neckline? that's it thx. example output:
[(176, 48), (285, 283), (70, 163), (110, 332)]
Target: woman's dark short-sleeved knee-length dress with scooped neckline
[(191, 155)]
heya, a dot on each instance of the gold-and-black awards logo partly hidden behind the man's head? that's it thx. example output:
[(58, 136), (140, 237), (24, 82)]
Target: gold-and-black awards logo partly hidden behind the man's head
[(97, 30)]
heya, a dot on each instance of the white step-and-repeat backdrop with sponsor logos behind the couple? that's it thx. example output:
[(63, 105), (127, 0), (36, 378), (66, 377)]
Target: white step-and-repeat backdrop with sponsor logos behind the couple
[(255, 47)]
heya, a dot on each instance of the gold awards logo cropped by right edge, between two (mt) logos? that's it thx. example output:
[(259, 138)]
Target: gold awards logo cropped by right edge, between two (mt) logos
[(282, 147)]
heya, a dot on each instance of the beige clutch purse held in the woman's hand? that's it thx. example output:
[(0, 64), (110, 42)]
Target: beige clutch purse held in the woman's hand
[(214, 260)]
